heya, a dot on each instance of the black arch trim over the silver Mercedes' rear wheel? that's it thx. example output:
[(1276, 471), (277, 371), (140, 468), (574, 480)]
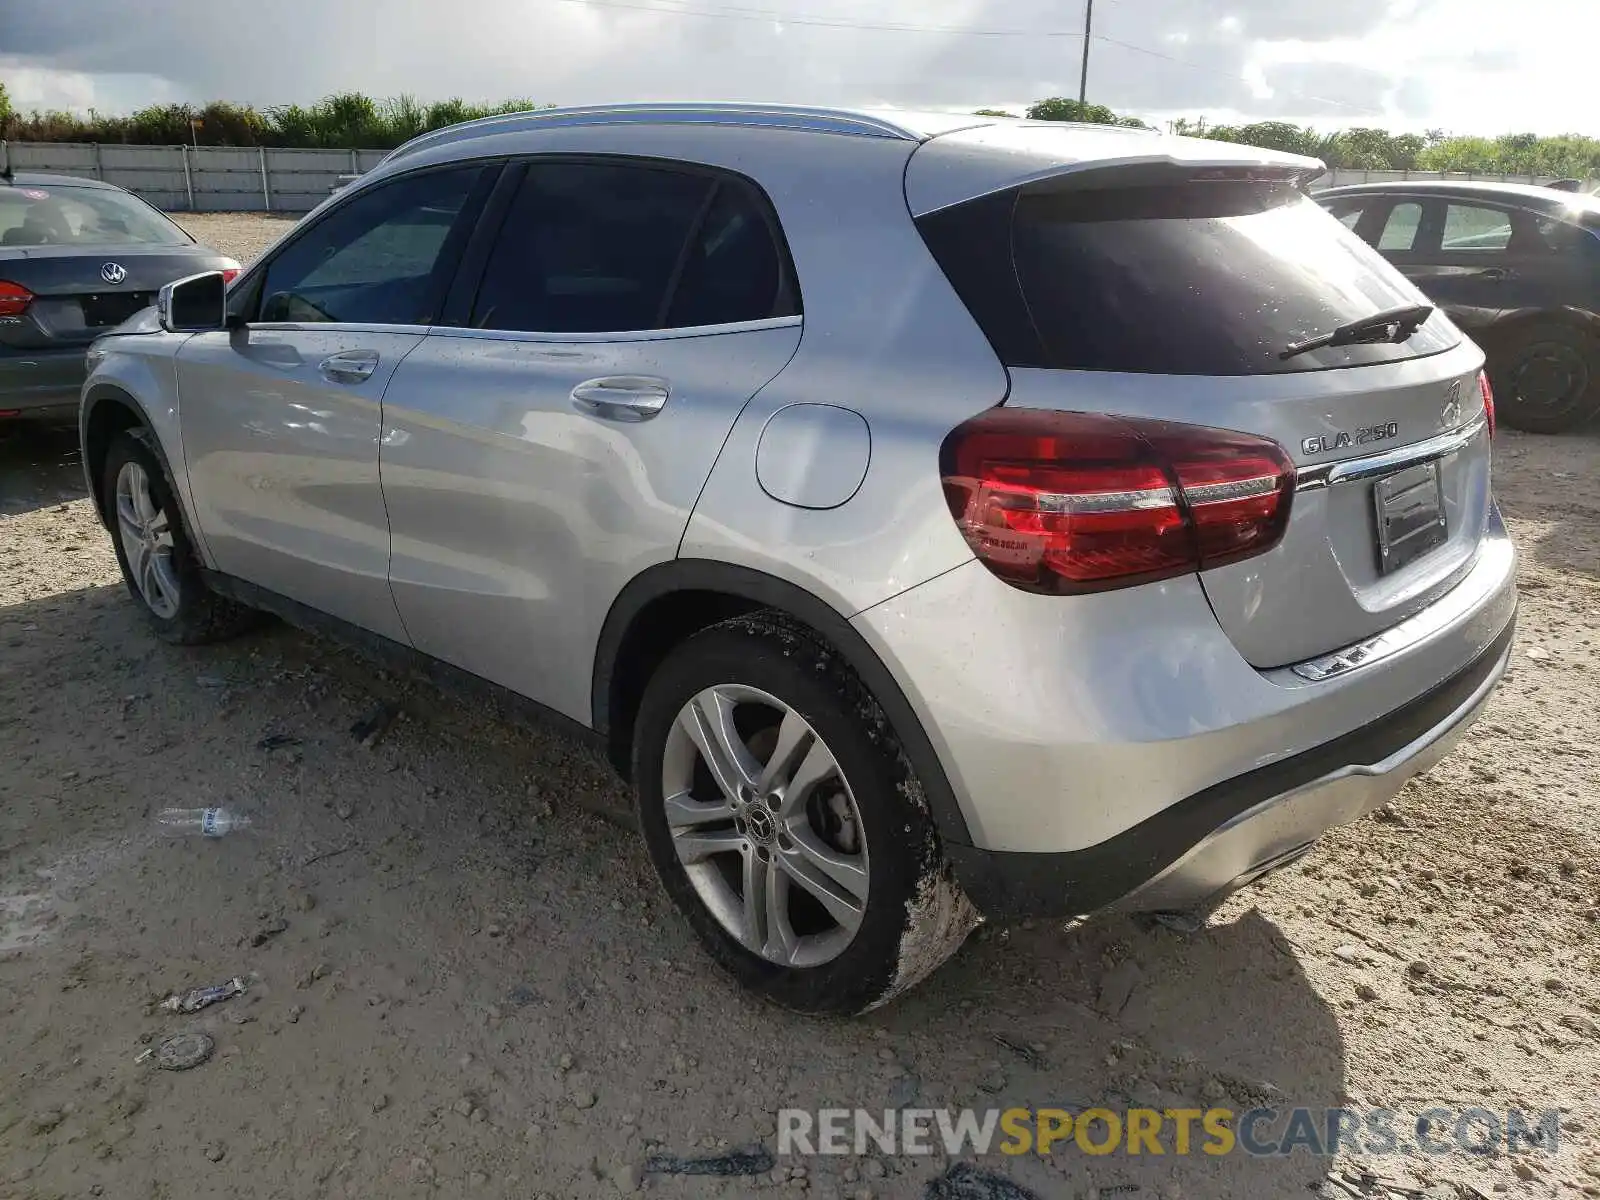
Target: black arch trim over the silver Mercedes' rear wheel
[(705, 575)]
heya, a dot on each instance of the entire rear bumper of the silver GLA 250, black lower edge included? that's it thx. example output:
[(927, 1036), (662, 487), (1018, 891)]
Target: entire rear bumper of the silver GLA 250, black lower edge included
[(1116, 750)]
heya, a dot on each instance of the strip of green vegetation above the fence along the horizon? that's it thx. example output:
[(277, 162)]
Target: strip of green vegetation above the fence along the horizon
[(353, 121)]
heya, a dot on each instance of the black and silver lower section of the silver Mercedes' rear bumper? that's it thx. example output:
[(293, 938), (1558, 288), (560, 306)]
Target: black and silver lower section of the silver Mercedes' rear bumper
[(1231, 834)]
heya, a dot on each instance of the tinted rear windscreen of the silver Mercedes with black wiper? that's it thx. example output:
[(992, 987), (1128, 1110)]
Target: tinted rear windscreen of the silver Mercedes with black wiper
[(1191, 279)]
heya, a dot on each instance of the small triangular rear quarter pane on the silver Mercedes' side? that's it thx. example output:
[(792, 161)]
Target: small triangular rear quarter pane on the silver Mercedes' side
[(735, 270)]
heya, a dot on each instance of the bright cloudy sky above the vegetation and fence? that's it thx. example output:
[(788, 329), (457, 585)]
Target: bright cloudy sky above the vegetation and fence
[(1468, 66)]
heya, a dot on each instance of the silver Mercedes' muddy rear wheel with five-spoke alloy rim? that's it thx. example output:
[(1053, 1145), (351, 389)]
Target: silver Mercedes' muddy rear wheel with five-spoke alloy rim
[(903, 911)]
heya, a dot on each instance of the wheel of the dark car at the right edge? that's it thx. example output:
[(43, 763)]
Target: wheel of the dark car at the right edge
[(1546, 380)]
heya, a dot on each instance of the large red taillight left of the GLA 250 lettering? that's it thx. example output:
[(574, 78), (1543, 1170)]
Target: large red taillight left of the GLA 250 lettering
[(1084, 503)]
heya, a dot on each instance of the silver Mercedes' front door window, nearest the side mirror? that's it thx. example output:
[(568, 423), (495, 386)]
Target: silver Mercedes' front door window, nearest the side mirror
[(375, 260)]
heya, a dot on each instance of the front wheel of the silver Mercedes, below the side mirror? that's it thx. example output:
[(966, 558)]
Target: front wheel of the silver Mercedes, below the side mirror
[(174, 596)]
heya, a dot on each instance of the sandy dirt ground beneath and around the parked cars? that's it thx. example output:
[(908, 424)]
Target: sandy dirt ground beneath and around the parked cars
[(462, 982)]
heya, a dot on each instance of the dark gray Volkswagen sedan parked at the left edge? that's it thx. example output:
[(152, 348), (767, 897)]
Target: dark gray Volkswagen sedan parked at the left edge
[(78, 258)]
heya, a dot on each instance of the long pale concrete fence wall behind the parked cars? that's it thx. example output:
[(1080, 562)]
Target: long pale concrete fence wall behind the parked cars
[(222, 178)]
